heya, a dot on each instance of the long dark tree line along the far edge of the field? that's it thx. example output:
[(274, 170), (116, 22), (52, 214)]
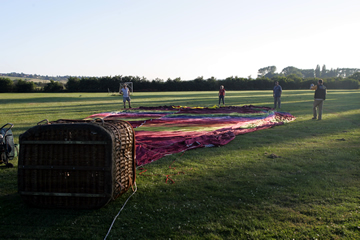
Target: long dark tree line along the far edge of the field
[(288, 80)]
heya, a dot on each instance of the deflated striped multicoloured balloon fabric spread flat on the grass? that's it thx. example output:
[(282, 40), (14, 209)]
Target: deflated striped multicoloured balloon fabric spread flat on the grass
[(165, 130)]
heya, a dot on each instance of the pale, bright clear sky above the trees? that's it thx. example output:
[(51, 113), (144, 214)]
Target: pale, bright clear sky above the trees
[(176, 38)]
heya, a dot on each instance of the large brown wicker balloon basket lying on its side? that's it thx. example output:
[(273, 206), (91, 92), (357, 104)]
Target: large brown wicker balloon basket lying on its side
[(76, 163)]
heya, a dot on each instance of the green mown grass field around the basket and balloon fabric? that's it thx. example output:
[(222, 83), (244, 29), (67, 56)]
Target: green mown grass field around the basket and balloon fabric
[(312, 191)]
